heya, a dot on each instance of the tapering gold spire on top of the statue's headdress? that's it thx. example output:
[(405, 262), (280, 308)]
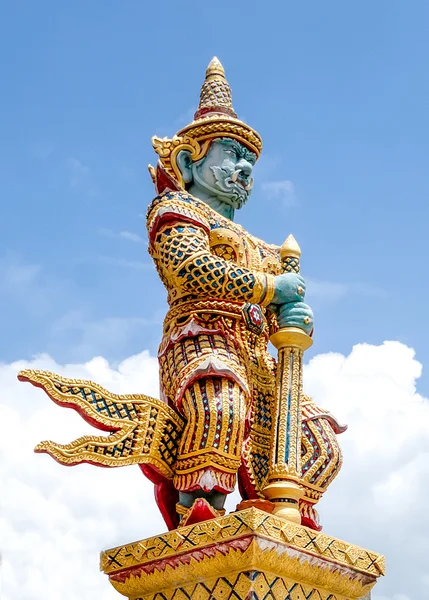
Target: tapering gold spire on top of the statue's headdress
[(215, 96)]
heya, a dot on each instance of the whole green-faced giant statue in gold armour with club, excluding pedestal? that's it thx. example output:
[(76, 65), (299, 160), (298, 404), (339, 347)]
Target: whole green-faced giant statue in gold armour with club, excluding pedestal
[(229, 412)]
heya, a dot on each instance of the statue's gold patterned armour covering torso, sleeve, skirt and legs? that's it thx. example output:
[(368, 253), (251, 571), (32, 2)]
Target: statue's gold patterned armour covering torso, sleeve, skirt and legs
[(214, 368)]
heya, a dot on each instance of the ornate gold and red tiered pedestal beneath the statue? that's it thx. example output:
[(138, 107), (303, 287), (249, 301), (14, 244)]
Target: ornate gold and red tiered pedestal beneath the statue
[(247, 555)]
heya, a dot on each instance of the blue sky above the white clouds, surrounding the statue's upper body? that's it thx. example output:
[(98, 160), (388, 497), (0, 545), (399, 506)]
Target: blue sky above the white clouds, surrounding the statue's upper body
[(340, 94)]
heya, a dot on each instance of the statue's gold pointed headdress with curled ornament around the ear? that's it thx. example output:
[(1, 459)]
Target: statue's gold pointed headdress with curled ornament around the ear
[(214, 118)]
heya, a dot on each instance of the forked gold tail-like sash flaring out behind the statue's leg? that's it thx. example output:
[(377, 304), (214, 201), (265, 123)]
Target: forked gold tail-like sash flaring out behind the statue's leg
[(142, 430)]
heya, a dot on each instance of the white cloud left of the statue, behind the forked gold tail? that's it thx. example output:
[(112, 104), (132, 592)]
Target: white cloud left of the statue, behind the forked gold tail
[(54, 521)]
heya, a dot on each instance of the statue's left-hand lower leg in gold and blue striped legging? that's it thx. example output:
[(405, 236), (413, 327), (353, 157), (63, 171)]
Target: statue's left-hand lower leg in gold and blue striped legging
[(211, 445)]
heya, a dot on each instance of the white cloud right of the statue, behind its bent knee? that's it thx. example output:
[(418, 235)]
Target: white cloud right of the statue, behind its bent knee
[(379, 499)]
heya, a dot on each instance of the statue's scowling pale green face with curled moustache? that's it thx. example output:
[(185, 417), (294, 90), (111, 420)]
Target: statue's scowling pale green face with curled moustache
[(226, 172)]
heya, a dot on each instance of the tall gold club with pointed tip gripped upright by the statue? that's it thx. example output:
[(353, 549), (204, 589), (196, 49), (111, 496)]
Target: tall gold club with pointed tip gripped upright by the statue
[(284, 477)]
